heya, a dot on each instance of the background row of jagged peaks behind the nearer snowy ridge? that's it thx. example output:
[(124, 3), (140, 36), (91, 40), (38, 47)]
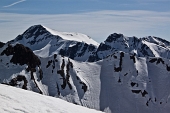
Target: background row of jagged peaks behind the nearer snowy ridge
[(46, 42)]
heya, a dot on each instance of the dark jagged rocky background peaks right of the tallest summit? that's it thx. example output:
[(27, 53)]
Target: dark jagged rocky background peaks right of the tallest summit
[(142, 47)]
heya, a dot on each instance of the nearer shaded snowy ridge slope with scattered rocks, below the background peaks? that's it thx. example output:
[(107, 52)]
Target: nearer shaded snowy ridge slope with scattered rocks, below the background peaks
[(136, 84)]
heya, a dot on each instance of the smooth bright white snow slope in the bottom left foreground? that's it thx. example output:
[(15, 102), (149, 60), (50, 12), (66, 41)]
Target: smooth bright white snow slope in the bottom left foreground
[(15, 100)]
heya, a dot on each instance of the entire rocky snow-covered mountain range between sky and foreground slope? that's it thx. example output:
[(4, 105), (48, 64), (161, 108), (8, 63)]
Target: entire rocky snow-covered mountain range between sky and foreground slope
[(120, 75)]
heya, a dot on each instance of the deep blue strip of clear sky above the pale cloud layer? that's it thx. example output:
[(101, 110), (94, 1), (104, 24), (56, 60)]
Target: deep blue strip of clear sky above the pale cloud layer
[(78, 6)]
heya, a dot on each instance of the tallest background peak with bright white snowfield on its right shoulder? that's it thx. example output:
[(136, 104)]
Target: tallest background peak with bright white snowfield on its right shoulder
[(46, 42)]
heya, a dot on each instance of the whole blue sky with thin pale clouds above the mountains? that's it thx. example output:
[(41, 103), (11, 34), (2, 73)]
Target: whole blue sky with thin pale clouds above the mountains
[(96, 18)]
